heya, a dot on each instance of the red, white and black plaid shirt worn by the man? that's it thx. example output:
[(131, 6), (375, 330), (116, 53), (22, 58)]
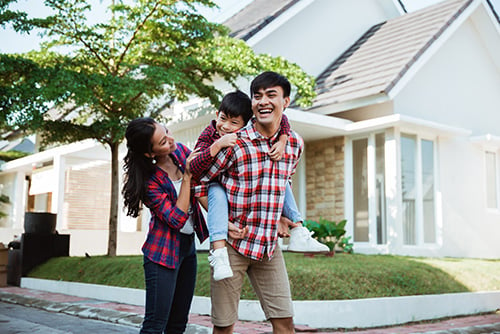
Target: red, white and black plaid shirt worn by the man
[(255, 186)]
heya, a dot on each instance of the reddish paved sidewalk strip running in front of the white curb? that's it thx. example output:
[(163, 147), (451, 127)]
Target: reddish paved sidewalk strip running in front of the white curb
[(132, 316)]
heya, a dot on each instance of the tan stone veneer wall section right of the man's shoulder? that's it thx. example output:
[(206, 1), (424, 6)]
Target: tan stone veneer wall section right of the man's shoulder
[(325, 179)]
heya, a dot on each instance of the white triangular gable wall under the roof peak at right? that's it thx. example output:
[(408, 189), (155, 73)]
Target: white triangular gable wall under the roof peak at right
[(458, 86)]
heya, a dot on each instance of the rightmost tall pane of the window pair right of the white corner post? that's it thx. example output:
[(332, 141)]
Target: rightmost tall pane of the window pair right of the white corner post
[(428, 191)]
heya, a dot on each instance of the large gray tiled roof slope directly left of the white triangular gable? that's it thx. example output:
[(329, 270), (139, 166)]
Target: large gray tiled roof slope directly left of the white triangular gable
[(380, 58)]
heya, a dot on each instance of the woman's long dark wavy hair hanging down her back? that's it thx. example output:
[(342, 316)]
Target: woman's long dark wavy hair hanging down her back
[(137, 166)]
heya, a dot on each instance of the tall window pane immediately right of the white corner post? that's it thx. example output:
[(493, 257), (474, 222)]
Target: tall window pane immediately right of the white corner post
[(408, 160)]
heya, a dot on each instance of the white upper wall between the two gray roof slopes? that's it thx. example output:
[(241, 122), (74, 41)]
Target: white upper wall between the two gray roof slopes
[(321, 31)]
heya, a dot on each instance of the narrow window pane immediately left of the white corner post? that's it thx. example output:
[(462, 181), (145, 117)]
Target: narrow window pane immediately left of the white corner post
[(380, 195)]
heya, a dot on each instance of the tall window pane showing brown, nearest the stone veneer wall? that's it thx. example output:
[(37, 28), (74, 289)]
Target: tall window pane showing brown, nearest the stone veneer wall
[(360, 188)]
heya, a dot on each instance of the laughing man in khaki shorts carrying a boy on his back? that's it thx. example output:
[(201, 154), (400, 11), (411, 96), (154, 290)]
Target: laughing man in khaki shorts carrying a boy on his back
[(255, 186)]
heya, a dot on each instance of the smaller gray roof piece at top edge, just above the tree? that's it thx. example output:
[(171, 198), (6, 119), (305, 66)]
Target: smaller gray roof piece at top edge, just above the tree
[(256, 16)]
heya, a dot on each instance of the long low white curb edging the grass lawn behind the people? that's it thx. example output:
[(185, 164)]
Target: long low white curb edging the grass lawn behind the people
[(386, 311)]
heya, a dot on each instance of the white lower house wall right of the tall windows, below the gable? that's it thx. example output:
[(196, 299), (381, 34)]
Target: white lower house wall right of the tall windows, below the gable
[(469, 228)]
